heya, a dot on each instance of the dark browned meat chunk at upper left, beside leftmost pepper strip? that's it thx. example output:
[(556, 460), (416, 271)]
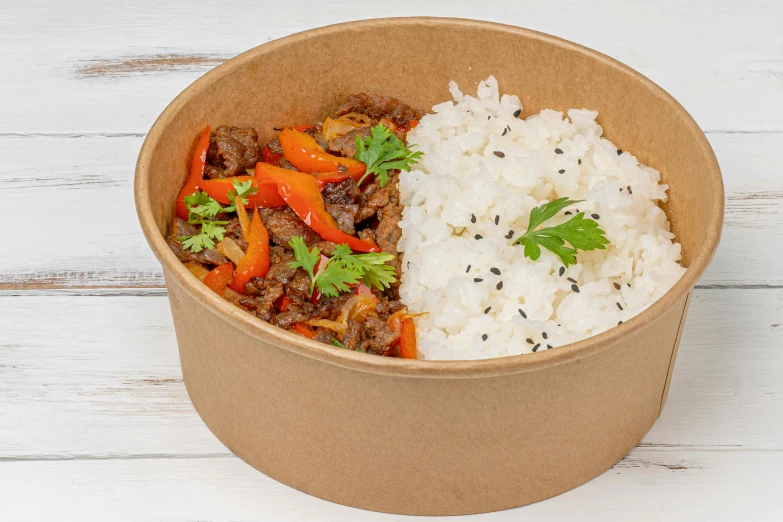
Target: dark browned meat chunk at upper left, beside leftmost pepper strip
[(231, 151)]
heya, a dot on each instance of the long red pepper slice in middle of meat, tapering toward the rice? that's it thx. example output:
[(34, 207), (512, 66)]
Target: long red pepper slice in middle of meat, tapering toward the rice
[(302, 194)]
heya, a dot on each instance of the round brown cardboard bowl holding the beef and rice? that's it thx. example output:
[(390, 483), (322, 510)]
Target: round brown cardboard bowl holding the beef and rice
[(422, 437)]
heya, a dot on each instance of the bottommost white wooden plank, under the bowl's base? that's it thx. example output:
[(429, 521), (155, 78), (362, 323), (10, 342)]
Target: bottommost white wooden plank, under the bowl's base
[(648, 485)]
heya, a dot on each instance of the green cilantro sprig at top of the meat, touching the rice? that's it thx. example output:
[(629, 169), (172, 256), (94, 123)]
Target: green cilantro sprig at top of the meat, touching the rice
[(382, 151)]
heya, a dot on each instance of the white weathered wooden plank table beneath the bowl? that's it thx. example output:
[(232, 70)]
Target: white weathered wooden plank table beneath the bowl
[(95, 423)]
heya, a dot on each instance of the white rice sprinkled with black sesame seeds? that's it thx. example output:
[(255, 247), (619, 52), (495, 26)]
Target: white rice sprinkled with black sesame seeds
[(460, 176)]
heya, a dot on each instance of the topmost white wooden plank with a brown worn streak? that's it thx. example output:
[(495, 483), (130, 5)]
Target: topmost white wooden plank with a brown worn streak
[(127, 61)]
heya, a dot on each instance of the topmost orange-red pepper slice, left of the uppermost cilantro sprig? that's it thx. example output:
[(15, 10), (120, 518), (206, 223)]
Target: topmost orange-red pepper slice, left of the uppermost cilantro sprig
[(304, 153)]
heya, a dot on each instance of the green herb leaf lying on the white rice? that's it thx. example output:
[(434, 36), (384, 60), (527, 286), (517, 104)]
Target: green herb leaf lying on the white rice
[(578, 232)]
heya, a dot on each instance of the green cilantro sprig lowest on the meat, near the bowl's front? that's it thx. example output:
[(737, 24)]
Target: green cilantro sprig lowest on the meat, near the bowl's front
[(343, 269)]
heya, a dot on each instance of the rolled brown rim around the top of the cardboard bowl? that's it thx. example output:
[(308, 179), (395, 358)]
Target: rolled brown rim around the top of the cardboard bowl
[(403, 367)]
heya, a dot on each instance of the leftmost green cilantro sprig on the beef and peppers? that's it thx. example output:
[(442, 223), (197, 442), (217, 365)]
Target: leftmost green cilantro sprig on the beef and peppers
[(202, 209)]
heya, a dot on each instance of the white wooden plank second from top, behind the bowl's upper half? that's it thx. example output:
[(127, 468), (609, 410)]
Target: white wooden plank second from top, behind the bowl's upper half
[(89, 235)]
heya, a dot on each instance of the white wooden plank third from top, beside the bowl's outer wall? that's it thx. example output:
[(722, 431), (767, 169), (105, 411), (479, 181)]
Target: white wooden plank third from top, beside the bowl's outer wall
[(99, 377)]
